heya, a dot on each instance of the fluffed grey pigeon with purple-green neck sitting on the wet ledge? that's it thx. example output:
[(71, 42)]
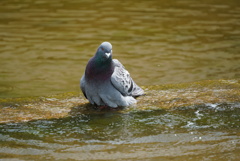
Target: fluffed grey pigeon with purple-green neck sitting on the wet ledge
[(106, 82)]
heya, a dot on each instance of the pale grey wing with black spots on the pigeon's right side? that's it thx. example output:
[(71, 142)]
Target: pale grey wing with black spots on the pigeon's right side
[(123, 82)]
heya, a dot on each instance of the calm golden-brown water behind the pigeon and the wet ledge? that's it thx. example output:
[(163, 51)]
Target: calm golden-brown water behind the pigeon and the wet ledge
[(45, 45)]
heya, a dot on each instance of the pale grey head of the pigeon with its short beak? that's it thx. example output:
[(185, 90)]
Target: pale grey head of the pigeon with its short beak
[(104, 51)]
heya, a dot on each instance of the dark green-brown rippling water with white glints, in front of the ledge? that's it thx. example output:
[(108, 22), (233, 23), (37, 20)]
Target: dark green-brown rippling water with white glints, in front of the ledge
[(209, 132)]
